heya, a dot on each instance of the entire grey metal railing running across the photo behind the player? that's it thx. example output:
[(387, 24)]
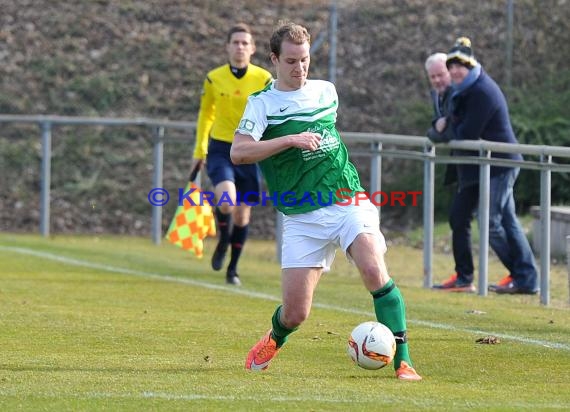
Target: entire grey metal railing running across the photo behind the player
[(381, 145)]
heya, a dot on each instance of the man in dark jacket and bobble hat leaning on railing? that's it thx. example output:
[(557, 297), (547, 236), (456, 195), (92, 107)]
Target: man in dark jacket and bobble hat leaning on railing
[(478, 110)]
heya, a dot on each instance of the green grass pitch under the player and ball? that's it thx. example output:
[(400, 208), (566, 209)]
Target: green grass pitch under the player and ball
[(116, 323)]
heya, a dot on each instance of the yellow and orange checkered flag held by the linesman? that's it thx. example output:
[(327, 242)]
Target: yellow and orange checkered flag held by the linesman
[(192, 222)]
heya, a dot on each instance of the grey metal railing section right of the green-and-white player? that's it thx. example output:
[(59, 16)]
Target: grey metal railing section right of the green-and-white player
[(428, 153)]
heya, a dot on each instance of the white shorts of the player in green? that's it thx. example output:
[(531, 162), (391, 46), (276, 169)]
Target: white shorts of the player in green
[(310, 239)]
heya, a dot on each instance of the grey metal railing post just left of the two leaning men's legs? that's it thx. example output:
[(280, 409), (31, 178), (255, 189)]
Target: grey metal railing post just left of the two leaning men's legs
[(428, 213)]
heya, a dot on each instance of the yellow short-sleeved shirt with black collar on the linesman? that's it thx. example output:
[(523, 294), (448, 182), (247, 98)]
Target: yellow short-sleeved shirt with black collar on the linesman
[(223, 101)]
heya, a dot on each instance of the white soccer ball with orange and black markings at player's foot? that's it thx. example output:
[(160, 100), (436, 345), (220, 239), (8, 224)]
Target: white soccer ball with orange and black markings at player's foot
[(371, 345)]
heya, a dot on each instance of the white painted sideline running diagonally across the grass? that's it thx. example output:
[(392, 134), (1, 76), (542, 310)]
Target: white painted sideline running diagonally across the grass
[(252, 294)]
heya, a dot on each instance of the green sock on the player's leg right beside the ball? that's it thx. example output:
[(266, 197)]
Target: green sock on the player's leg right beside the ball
[(391, 311)]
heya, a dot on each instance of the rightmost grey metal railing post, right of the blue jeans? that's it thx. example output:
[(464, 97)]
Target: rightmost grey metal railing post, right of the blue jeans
[(545, 189)]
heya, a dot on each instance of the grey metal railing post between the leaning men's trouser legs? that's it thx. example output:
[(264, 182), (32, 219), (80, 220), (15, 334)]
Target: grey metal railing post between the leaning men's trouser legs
[(484, 190)]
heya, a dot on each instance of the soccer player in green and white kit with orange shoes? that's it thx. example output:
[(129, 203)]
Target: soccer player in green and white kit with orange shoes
[(289, 128)]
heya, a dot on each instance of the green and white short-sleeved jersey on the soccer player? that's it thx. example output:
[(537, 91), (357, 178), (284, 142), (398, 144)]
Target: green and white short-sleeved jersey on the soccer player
[(300, 181)]
